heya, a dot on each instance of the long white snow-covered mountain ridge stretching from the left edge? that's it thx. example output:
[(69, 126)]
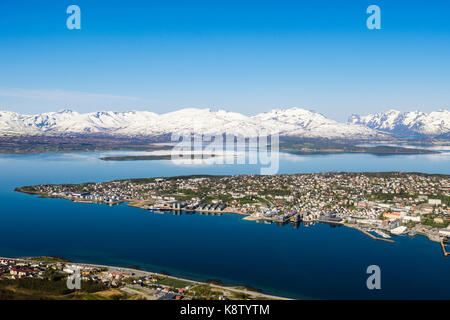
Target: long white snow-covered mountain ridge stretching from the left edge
[(290, 122)]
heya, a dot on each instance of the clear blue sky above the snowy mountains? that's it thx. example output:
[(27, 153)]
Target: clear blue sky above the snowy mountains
[(244, 56)]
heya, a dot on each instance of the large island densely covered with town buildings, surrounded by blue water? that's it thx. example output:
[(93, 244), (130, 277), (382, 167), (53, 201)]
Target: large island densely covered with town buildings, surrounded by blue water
[(380, 204)]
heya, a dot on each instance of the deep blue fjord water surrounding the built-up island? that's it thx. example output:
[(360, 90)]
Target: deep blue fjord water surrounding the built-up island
[(319, 261)]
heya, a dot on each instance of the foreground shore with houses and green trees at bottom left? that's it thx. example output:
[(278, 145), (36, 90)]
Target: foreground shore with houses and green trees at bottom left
[(47, 278)]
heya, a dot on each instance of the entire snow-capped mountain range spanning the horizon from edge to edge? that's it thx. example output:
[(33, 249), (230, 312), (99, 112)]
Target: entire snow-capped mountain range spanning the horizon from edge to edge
[(289, 122)]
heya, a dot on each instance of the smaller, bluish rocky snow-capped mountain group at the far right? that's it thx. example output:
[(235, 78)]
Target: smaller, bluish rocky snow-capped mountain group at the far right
[(407, 123)]
